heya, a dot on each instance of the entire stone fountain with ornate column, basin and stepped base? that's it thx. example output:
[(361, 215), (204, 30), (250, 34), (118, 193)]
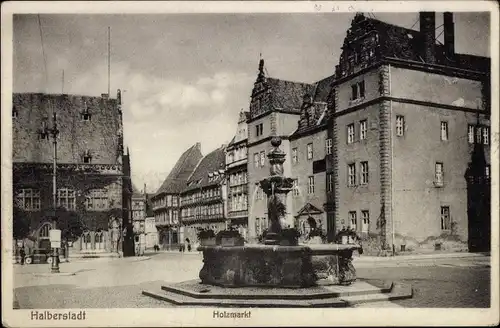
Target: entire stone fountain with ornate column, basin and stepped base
[(279, 268)]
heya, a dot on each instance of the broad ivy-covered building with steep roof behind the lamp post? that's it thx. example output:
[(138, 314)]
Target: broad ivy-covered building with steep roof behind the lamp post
[(93, 173)]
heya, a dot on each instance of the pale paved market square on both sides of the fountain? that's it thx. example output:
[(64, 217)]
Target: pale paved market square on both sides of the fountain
[(117, 283)]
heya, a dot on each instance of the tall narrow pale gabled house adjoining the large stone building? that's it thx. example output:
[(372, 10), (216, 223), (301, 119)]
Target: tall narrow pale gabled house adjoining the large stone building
[(237, 177)]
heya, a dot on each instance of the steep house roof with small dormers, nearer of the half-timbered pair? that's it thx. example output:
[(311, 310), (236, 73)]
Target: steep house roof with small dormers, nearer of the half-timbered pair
[(213, 162)]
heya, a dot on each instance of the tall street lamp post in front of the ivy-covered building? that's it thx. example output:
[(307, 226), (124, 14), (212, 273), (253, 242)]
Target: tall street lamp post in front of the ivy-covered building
[(53, 132)]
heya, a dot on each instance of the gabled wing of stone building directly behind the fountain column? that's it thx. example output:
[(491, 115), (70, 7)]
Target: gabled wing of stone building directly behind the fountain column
[(275, 109)]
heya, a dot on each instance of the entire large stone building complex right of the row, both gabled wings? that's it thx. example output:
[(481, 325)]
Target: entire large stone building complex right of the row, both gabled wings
[(383, 145)]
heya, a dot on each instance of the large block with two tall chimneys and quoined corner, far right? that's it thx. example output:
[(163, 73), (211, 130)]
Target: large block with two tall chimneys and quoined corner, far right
[(407, 114)]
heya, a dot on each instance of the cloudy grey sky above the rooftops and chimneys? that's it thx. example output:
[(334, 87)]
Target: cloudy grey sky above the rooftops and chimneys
[(185, 77)]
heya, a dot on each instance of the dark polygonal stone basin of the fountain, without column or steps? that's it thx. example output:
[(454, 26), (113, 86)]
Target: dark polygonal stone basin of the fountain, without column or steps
[(256, 265)]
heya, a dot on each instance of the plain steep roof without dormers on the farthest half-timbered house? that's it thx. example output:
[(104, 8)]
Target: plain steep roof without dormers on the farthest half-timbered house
[(183, 168)]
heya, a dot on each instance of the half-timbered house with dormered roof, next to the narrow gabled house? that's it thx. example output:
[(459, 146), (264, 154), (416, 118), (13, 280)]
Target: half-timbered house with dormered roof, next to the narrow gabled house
[(203, 200)]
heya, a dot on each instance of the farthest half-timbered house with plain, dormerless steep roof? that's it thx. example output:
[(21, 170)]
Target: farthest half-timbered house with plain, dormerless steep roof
[(166, 202)]
